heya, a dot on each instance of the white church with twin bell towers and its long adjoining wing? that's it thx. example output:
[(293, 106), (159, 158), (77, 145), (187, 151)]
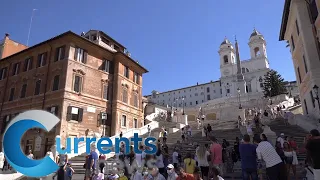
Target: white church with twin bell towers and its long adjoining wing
[(237, 77)]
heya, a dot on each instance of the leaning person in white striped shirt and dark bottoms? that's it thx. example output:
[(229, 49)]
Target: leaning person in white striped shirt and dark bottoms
[(275, 168)]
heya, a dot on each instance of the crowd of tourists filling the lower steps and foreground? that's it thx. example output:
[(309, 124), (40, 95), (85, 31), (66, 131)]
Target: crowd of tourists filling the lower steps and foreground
[(215, 160)]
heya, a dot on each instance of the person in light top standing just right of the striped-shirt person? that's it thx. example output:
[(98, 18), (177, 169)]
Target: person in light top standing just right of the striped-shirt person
[(291, 159)]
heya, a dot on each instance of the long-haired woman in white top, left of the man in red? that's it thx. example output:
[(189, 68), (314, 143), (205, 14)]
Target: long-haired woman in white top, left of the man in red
[(202, 157)]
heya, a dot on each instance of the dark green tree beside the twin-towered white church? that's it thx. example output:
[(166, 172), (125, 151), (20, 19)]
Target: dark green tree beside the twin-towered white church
[(273, 84)]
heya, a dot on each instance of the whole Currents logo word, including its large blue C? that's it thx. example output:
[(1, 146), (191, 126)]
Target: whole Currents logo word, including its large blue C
[(45, 120)]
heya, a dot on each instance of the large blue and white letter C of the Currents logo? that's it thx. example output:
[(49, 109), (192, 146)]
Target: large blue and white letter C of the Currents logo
[(11, 143)]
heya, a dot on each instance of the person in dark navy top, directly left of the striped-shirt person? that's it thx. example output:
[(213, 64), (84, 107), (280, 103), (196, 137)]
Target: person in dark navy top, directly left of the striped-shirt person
[(249, 159)]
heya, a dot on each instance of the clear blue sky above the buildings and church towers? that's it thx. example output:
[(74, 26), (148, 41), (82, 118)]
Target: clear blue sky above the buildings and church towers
[(176, 40)]
